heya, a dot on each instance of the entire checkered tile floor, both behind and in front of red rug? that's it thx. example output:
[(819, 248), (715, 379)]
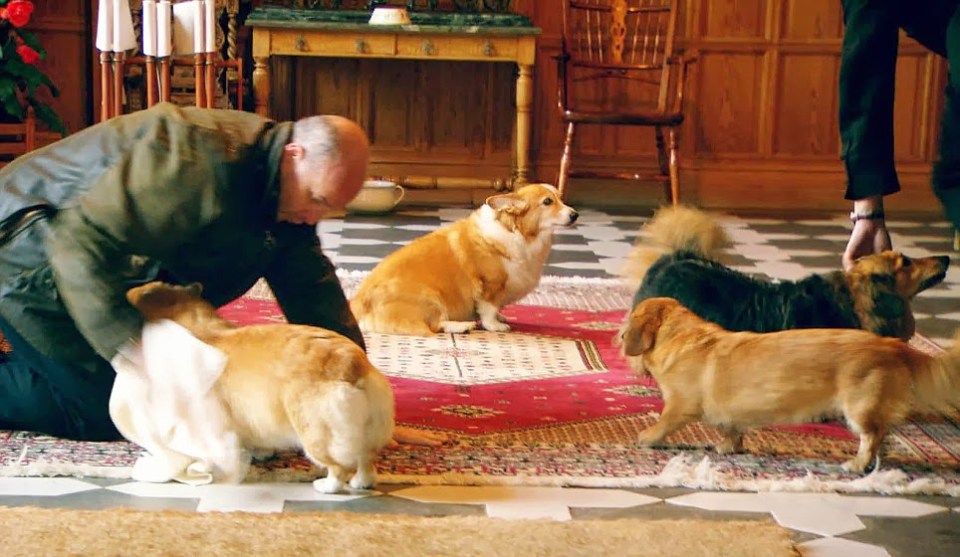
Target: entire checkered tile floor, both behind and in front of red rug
[(824, 524)]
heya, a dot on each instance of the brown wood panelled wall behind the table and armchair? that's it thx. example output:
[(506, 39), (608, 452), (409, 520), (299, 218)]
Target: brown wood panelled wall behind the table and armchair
[(762, 130)]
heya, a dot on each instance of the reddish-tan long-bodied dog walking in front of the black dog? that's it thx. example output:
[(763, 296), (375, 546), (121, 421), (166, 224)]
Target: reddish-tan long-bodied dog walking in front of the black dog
[(735, 381)]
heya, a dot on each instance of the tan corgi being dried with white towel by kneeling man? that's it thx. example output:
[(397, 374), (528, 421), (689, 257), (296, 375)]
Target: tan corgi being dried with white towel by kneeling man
[(289, 386)]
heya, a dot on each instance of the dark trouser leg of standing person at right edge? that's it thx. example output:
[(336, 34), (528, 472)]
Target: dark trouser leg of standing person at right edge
[(946, 171)]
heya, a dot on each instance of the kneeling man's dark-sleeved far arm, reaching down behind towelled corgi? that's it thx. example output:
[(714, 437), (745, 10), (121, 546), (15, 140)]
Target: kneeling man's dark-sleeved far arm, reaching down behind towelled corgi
[(306, 285)]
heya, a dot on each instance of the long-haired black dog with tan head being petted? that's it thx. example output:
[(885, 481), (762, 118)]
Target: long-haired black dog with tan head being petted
[(679, 259)]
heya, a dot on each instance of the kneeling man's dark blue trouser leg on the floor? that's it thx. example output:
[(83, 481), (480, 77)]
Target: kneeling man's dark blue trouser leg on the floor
[(42, 395)]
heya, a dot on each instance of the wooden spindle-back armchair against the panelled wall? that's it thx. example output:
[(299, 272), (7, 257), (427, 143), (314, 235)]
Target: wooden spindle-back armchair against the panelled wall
[(617, 67)]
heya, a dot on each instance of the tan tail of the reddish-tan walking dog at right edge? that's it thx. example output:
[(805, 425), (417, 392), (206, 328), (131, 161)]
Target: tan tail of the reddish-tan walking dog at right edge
[(937, 385)]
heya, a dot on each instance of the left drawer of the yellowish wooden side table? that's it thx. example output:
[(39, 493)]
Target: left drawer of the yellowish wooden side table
[(294, 43)]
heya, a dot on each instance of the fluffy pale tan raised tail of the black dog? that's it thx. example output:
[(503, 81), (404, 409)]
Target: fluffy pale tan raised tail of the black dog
[(670, 230)]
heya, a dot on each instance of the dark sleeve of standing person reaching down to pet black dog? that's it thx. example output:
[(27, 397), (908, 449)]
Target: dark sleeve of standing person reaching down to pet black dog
[(867, 77)]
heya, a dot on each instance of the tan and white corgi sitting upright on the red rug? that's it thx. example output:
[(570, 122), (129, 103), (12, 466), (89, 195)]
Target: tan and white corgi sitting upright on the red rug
[(444, 281)]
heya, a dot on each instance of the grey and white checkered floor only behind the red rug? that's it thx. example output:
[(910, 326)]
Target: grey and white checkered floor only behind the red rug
[(777, 248)]
